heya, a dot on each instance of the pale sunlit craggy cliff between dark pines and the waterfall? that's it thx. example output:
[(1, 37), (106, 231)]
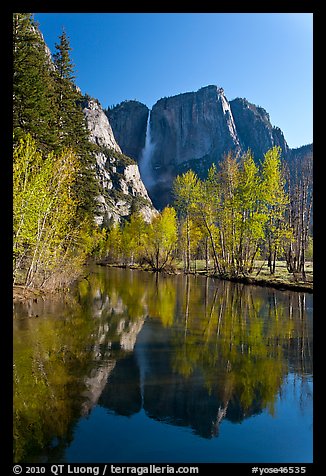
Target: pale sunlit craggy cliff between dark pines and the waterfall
[(121, 187)]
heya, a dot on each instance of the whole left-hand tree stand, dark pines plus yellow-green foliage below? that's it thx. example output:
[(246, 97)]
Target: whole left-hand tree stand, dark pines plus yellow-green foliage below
[(54, 168)]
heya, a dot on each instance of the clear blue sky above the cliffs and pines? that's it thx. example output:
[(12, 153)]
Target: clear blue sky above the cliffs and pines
[(264, 57)]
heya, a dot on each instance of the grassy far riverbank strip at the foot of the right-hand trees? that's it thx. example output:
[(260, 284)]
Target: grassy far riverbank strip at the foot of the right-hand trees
[(282, 279)]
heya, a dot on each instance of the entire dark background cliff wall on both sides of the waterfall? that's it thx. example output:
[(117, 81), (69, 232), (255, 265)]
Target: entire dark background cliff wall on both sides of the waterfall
[(193, 130)]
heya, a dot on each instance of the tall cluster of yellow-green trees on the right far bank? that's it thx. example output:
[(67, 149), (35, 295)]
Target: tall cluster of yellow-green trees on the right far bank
[(240, 208)]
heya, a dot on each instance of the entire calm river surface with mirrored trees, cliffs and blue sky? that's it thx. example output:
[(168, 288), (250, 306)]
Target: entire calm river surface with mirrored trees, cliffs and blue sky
[(137, 367)]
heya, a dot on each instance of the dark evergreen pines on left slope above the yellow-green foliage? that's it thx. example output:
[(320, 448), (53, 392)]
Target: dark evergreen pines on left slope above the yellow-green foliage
[(47, 105)]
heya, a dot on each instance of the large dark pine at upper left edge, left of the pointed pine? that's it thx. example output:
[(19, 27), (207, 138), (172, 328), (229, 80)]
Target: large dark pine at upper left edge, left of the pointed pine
[(33, 88)]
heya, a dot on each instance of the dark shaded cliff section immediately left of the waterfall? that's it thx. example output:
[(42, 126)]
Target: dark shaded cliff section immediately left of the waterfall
[(128, 121)]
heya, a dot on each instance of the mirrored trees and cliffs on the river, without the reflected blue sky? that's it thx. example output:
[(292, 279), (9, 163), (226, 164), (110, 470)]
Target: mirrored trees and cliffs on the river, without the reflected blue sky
[(189, 351)]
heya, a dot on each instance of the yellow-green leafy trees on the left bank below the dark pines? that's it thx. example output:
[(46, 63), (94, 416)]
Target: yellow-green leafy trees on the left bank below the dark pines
[(50, 243)]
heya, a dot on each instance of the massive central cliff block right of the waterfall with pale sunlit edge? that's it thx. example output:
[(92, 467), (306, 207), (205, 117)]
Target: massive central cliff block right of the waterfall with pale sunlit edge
[(190, 130)]
